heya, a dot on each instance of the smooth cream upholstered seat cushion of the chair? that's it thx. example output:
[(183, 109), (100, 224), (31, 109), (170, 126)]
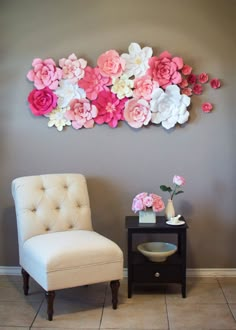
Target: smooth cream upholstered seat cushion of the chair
[(71, 258)]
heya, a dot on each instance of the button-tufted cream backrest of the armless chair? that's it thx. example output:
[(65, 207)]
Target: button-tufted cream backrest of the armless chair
[(51, 203)]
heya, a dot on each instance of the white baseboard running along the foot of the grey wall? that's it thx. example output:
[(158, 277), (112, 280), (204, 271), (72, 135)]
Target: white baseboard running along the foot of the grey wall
[(191, 272)]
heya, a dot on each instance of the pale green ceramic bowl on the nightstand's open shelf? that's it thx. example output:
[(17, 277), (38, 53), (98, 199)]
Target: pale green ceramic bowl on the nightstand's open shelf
[(157, 251)]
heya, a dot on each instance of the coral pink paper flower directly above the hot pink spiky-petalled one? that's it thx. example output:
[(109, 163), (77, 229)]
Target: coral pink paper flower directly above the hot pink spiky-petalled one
[(93, 82)]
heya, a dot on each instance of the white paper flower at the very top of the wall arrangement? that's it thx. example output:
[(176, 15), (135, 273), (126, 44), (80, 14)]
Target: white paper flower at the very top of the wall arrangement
[(137, 60)]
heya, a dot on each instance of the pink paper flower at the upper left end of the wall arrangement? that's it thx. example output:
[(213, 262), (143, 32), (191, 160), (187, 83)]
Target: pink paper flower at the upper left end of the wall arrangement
[(44, 73)]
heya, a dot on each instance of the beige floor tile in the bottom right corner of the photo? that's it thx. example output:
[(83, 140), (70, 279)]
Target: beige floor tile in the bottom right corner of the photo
[(200, 317)]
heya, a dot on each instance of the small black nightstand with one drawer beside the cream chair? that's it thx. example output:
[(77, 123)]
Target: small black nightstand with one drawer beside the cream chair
[(141, 270)]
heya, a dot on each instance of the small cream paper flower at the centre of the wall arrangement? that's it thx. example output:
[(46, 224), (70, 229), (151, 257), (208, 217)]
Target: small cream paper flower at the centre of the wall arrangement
[(122, 87)]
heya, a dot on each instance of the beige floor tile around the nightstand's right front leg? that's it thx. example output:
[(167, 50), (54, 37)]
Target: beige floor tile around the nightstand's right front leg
[(197, 292)]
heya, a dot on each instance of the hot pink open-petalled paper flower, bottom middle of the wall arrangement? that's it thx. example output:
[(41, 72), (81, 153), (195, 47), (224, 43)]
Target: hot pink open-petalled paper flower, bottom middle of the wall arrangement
[(110, 108)]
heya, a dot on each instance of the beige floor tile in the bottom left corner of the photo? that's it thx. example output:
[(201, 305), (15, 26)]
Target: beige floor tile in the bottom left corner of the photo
[(18, 313)]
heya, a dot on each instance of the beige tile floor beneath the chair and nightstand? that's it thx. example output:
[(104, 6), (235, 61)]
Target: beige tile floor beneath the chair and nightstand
[(210, 304)]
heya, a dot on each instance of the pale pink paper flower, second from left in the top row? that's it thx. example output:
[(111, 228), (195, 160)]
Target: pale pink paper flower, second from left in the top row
[(72, 68)]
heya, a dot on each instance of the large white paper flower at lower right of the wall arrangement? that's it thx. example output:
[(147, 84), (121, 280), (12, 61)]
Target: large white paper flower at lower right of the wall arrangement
[(169, 107)]
